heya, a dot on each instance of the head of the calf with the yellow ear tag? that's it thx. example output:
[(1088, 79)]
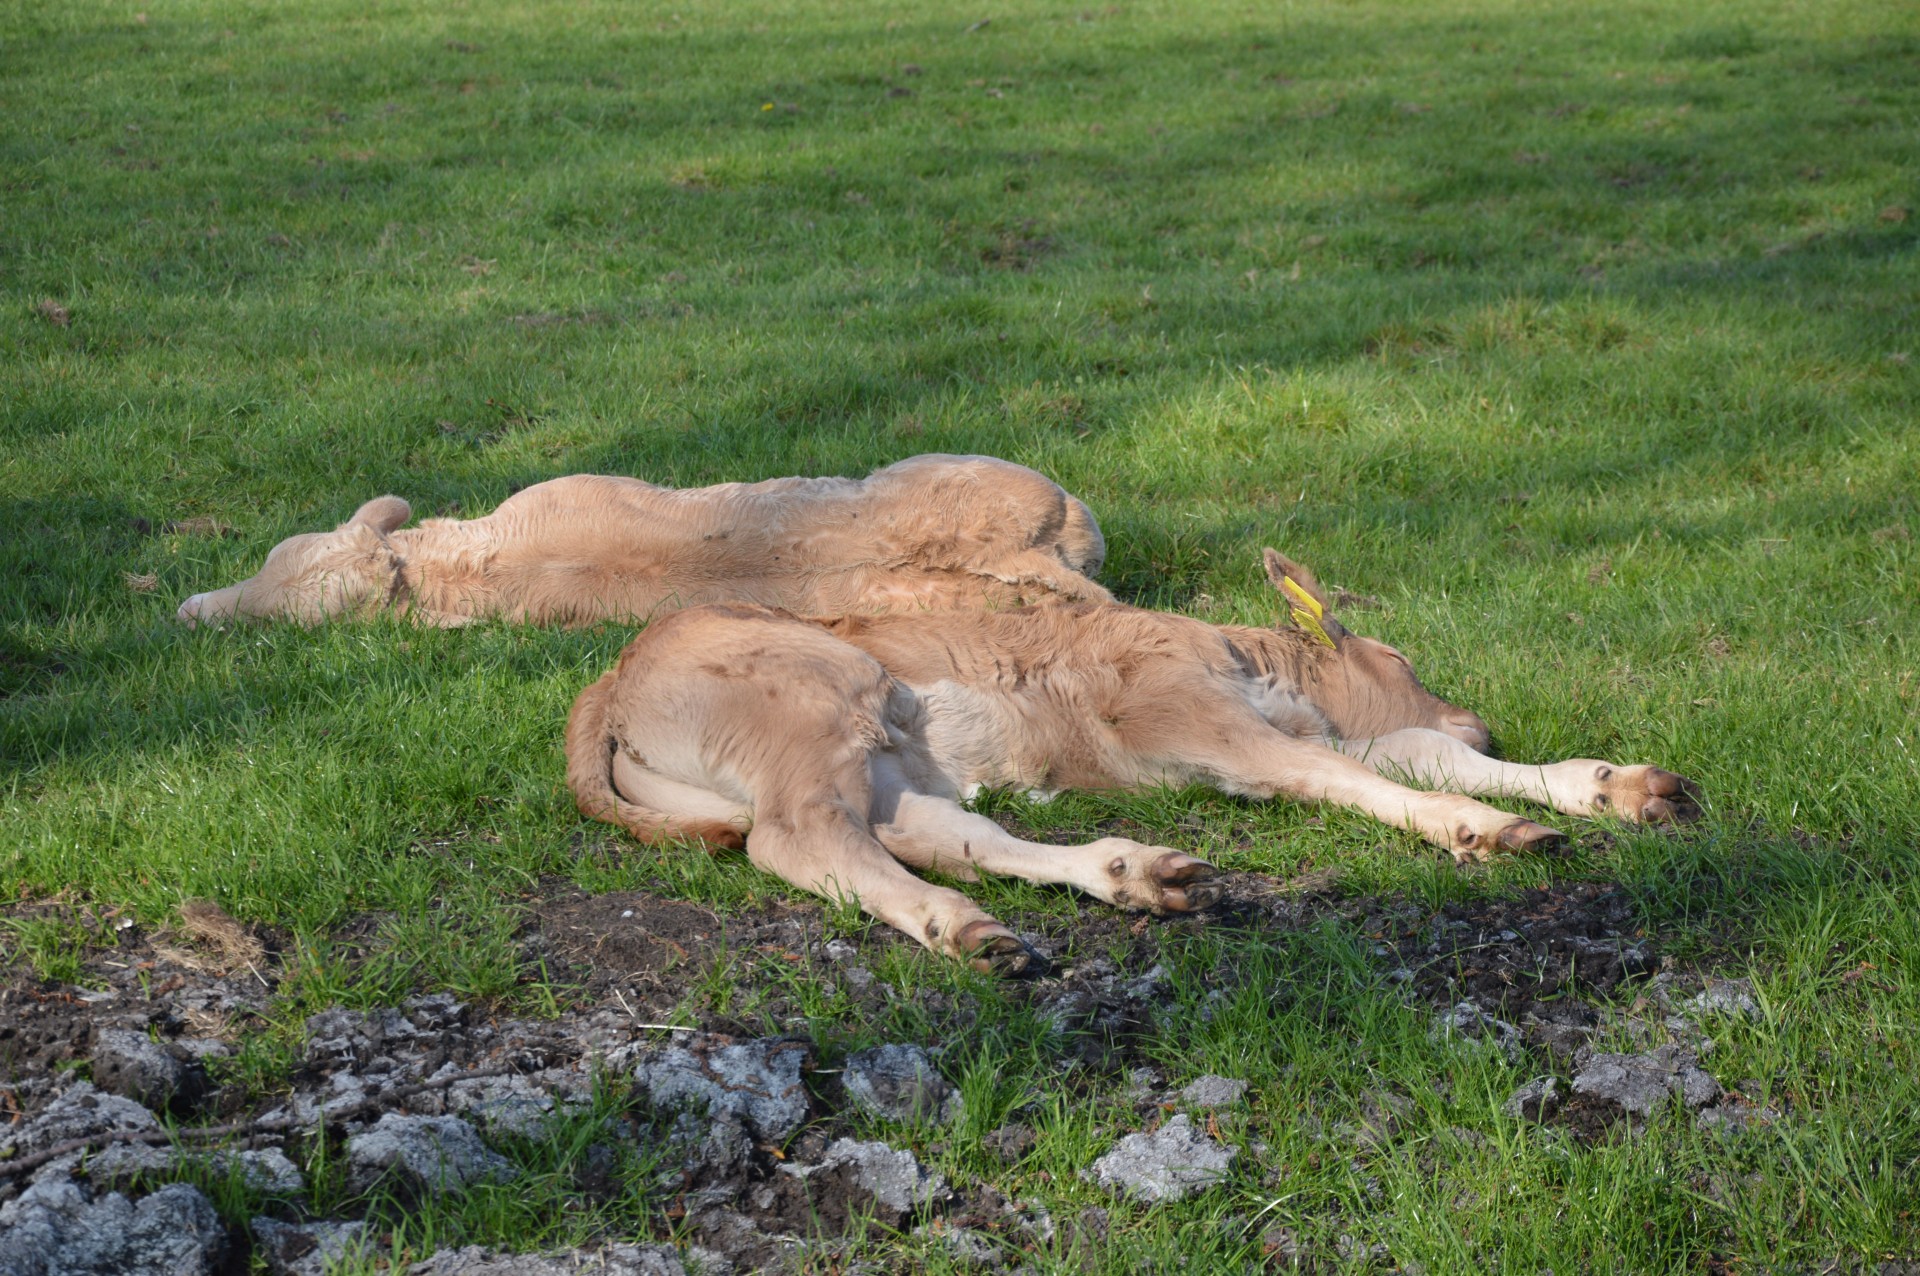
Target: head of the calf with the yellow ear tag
[(1366, 688)]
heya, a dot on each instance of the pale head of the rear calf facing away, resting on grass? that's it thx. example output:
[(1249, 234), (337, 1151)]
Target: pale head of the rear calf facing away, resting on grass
[(318, 575)]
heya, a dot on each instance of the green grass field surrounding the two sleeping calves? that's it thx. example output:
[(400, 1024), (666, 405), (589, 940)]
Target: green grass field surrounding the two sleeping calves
[(1581, 341)]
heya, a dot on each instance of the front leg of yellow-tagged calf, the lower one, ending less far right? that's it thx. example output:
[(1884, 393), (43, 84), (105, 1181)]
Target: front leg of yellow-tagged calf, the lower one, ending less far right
[(1251, 759)]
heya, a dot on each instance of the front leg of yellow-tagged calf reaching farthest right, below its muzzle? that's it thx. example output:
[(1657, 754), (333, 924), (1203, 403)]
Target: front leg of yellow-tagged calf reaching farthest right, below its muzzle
[(1575, 788)]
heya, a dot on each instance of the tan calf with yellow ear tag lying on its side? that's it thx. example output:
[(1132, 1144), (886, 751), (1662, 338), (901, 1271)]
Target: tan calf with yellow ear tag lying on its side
[(838, 749)]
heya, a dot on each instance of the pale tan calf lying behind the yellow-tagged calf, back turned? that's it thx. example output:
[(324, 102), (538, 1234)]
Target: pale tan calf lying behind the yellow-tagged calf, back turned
[(923, 534)]
